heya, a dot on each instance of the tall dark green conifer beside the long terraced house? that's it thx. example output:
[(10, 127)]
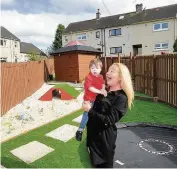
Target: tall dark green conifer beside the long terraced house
[(57, 43)]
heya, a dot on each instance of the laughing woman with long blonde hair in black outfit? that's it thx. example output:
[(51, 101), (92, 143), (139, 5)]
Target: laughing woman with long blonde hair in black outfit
[(106, 111)]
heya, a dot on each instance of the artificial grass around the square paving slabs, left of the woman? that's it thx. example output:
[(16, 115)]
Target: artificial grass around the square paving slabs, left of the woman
[(70, 154)]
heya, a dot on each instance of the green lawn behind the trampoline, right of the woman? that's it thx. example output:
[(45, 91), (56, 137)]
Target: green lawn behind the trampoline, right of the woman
[(151, 112)]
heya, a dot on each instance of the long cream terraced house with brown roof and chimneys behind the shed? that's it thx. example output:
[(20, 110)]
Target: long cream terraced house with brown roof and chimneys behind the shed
[(142, 32)]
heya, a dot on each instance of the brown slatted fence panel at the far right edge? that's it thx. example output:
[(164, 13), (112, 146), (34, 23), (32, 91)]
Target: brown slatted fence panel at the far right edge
[(166, 74)]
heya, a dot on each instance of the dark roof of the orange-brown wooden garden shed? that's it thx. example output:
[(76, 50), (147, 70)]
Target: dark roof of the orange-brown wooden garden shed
[(81, 48)]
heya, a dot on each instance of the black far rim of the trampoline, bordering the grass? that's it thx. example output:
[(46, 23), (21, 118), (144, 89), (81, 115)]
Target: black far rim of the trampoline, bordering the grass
[(125, 125)]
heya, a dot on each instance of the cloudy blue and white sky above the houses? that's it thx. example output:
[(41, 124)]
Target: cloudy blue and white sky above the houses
[(35, 21)]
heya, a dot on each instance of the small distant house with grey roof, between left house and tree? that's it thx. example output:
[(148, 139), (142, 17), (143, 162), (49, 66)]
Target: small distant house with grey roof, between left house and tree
[(28, 48)]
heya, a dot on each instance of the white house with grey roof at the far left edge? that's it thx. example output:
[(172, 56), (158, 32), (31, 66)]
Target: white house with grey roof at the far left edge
[(10, 46)]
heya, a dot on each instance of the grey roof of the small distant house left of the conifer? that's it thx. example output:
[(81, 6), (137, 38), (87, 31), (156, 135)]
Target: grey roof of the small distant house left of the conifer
[(29, 48)]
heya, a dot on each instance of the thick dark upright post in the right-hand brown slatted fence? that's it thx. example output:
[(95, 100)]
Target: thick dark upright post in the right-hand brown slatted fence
[(154, 77)]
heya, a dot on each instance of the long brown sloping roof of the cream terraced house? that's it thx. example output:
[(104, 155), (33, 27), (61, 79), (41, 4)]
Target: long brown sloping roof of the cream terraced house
[(147, 15)]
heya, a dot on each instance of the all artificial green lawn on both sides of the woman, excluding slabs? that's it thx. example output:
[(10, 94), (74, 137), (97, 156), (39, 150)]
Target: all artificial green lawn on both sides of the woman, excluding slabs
[(74, 154)]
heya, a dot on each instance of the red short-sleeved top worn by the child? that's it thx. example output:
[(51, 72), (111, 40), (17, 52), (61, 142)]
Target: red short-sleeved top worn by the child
[(92, 81)]
